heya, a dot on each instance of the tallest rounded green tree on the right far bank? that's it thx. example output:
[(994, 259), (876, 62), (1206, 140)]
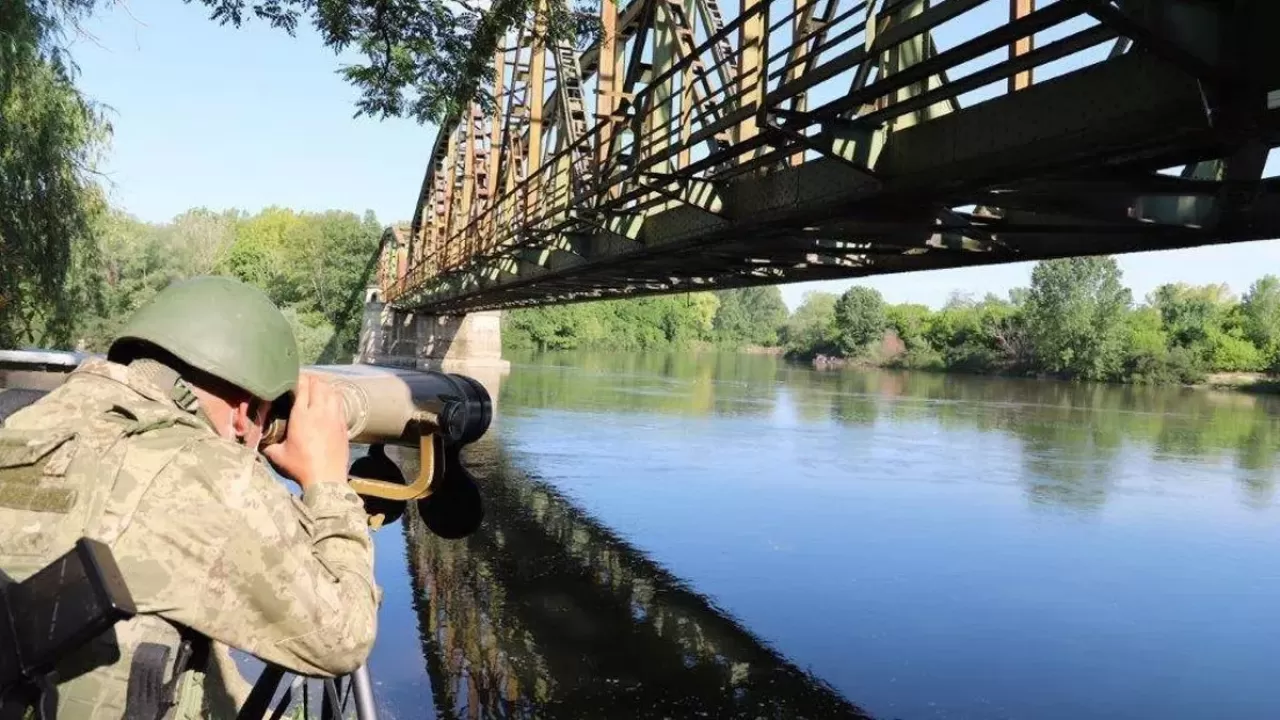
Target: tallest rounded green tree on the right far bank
[(1076, 312)]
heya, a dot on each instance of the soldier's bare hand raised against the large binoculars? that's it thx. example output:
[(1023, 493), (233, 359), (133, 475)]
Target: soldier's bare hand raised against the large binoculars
[(316, 449)]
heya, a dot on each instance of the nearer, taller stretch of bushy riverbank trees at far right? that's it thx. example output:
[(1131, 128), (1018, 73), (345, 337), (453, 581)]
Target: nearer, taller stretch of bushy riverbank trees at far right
[(1076, 321)]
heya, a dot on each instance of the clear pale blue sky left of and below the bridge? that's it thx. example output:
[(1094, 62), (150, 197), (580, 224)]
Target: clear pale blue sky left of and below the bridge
[(211, 116)]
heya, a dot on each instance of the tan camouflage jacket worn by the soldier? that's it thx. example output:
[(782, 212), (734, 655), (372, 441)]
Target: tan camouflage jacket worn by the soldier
[(205, 536)]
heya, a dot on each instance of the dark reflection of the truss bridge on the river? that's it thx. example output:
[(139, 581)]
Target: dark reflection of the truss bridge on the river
[(545, 613)]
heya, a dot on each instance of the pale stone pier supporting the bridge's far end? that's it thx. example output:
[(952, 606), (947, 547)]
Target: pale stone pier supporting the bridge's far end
[(469, 345)]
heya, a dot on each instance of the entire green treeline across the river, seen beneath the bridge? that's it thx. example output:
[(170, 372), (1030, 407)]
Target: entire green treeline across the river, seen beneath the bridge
[(1076, 321)]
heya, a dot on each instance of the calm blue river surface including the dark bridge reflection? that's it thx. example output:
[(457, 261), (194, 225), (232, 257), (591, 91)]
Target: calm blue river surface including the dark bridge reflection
[(726, 536)]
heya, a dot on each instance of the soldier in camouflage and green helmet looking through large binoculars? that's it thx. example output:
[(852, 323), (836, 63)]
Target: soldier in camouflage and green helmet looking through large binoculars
[(156, 453)]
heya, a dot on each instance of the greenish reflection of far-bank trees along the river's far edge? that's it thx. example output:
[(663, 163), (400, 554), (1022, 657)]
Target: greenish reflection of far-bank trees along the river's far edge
[(1075, 440)]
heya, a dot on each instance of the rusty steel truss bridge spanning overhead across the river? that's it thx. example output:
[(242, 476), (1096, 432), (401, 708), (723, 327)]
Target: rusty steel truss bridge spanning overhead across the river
[(697, 147)]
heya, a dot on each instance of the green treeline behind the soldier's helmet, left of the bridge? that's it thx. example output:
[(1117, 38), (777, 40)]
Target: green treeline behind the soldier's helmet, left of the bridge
[(314, 266)]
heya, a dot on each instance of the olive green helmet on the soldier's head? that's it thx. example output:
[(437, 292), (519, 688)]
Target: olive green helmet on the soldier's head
[(227, 329)]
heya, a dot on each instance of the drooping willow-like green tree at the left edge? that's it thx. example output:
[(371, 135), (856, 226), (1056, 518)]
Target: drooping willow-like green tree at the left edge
[(51, 143)]
